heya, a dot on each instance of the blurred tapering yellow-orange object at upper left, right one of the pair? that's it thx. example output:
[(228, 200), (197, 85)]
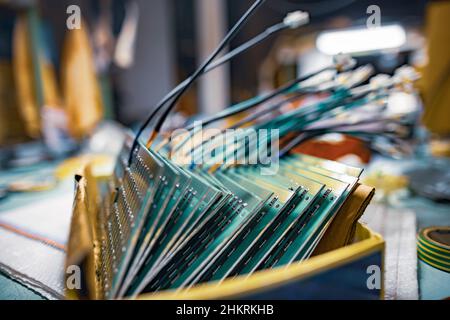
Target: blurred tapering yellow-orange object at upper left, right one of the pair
[(81, 89)]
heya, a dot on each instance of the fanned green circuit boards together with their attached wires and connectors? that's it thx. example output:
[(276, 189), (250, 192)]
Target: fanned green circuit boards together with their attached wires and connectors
[(170, 224)]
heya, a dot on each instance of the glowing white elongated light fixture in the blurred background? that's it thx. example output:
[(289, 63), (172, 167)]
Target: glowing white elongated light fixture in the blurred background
[(361, 40)]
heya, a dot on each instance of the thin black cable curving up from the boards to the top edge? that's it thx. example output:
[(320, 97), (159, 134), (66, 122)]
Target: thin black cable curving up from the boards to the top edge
[(176, 95)]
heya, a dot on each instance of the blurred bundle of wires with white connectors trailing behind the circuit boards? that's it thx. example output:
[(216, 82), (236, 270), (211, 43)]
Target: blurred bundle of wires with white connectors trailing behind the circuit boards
[(346, 109)]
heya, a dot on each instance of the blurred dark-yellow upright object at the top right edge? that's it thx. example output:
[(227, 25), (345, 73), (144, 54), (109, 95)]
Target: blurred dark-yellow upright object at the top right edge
[(436, 76)]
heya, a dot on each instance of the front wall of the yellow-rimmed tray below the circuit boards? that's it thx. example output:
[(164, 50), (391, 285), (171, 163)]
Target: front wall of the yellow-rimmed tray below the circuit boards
[(268, 282)]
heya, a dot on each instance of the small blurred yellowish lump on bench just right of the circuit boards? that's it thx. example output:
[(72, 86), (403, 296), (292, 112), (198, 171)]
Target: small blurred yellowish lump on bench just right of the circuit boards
[(386, 183)]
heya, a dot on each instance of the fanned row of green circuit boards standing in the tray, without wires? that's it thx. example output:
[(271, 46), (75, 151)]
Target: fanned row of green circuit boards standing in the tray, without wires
[(167, 227)]
